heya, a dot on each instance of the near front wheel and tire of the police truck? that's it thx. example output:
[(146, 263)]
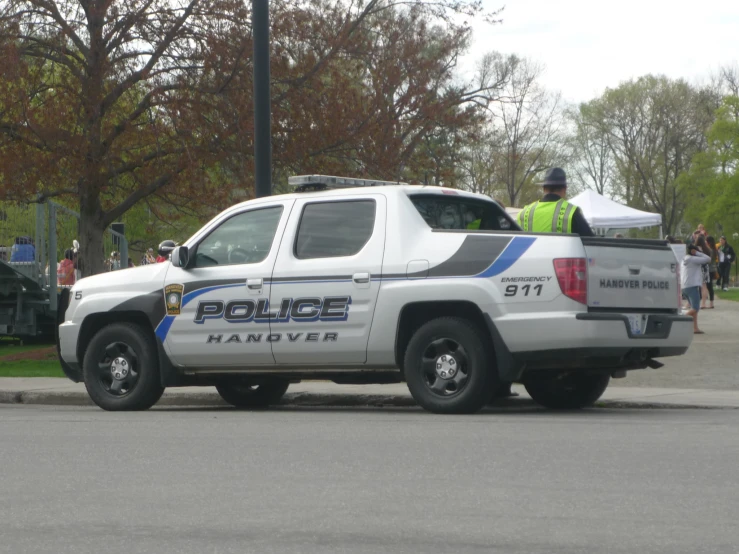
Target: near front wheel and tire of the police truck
[(138, 385)]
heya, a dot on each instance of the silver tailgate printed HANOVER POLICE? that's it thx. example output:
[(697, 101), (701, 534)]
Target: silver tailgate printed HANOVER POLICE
[(631, 273)]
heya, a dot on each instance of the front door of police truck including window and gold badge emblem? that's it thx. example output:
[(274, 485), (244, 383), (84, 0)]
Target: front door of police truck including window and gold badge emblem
[(223, 319)]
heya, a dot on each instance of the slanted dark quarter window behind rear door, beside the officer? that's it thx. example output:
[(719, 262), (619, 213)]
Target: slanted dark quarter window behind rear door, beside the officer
[(462, 213)]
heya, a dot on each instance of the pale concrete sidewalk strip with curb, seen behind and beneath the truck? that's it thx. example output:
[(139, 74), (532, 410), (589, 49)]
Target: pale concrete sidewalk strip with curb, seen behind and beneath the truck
[(63, 392)]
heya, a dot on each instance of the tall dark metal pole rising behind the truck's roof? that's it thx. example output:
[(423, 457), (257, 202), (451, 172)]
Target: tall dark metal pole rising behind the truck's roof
[(262, 111)]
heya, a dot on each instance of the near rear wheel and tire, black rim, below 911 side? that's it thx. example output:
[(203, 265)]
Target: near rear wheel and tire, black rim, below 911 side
[(459, 384)]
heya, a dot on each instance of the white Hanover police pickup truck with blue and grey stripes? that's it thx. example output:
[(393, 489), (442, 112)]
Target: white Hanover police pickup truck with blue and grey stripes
[(359, 281)]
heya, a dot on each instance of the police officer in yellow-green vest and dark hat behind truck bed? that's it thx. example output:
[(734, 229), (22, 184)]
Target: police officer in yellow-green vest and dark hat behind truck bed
[(553, 214)]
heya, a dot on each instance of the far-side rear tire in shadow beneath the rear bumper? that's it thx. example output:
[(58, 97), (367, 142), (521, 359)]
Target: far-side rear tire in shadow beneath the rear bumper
[(569, 392)]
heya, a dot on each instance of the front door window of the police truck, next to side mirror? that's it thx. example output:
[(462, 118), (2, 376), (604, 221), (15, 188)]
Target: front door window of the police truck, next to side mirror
[(245, 238)]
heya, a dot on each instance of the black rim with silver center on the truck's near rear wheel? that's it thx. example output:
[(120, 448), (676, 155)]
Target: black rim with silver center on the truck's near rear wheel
[(445, 367)]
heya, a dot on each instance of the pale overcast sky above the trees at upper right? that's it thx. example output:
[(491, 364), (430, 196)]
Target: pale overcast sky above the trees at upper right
[(587, 46)]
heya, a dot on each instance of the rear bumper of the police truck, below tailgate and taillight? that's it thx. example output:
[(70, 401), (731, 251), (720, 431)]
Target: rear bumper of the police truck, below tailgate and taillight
[(588, 340)]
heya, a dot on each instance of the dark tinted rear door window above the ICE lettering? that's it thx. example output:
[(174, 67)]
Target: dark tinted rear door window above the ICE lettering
[(334, 229)]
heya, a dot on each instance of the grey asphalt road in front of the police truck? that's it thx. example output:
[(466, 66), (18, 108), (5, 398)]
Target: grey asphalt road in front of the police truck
[(79, 480)]
